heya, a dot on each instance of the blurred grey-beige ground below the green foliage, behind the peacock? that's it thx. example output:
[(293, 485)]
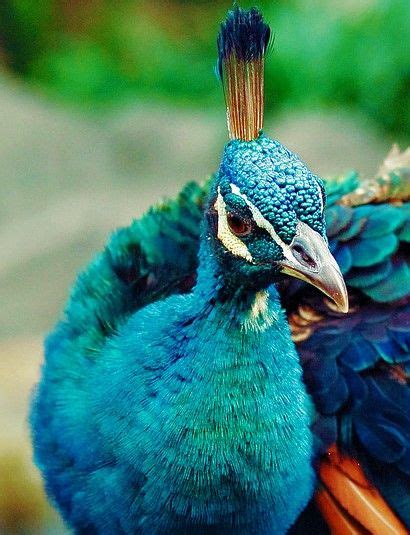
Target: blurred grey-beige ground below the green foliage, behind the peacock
[(66, 182)]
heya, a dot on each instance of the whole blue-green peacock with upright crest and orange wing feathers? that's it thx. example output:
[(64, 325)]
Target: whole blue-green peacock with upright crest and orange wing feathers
[(237, 360)]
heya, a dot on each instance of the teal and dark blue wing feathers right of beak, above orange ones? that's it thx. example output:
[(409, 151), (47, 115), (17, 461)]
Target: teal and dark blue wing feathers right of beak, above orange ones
[(357, 366)]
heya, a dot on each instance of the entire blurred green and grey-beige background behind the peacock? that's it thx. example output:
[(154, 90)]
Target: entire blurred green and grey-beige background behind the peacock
[(107, 105)]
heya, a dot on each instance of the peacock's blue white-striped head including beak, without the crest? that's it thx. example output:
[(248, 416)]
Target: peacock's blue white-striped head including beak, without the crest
[(266, 219)]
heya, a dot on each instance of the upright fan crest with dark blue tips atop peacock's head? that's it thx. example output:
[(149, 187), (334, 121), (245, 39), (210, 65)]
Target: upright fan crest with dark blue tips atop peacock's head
[(242, 43)]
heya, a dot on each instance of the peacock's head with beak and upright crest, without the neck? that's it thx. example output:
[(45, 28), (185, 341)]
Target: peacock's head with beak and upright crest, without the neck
[(266, 208)]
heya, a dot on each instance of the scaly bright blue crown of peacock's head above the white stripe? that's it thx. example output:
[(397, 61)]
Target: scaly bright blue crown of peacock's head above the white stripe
[(277, 182)]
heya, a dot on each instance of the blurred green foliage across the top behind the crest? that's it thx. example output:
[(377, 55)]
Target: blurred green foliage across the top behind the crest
[(98, 52)]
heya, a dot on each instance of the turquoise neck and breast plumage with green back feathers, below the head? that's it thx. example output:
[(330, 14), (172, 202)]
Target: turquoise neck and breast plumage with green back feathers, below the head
[(174, 418)]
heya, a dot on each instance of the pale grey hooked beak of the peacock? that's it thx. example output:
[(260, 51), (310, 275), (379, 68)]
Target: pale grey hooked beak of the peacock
[(308, 258)]
